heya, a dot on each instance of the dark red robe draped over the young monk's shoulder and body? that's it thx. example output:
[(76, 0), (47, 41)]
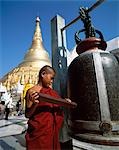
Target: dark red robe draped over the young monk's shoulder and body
[(44, 126)]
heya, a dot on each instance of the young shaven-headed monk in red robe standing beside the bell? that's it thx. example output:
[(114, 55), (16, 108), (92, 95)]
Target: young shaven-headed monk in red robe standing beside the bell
[(45, 119)]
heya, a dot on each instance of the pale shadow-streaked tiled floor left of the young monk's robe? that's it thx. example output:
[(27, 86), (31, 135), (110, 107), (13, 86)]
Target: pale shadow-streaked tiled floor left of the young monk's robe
[(12, 133)]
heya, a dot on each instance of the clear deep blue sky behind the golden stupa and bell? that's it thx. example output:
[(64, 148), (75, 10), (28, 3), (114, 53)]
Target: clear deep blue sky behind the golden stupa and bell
[(17, 24)]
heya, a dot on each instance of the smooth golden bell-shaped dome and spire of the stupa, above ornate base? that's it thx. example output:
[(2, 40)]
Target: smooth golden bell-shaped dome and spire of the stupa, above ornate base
[(36, 56)]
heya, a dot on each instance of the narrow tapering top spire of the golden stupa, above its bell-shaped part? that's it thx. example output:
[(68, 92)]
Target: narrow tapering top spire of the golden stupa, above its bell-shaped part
[(37, 41)]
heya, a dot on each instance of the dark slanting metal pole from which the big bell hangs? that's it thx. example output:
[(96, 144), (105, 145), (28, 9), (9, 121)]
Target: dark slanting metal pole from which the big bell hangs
[(76, 19)]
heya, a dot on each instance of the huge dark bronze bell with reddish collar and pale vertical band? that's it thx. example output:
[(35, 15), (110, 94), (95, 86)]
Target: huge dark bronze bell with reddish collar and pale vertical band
[(94, 86)]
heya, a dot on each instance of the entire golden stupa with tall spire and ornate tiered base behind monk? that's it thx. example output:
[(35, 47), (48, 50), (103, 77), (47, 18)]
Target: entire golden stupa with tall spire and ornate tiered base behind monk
[(35, 58)]
